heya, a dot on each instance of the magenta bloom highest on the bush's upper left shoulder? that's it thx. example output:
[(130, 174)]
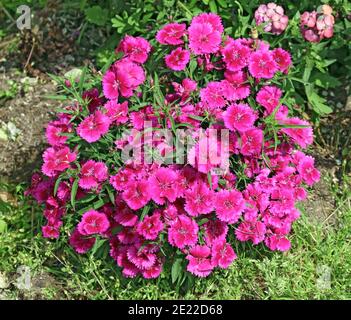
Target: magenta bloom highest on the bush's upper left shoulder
[(135, 48)]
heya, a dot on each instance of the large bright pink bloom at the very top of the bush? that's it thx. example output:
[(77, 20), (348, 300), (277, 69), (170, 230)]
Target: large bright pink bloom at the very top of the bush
[(204, 37)]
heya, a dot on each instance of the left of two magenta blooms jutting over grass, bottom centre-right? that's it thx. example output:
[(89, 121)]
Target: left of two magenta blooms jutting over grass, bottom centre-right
[(199, 261)]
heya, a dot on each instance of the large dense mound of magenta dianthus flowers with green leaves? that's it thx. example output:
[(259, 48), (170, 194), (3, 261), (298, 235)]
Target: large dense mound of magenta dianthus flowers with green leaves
[(148, 213)]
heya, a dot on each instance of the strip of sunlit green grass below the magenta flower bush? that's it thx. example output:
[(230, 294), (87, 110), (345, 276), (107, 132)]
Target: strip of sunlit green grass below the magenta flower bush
[(319, 251)]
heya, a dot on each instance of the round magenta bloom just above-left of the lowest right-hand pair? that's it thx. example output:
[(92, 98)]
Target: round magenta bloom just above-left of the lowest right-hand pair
[(183, 232)]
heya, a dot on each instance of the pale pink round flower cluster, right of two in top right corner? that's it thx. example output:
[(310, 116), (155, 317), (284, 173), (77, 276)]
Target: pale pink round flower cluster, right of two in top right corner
[(317, 25)]
